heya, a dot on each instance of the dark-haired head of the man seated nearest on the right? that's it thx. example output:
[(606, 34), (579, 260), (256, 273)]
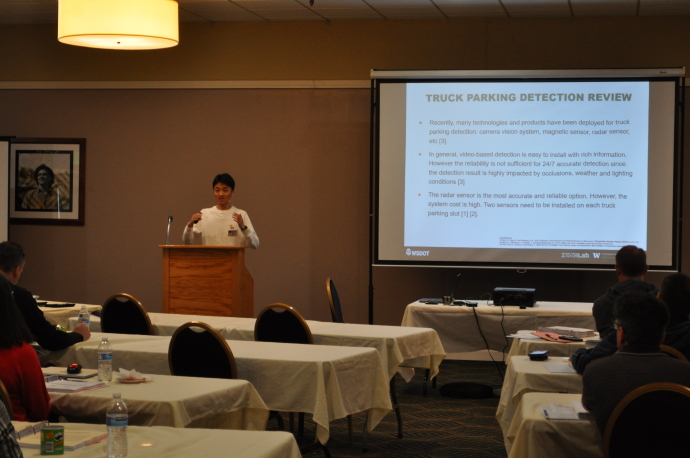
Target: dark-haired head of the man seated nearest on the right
[(643, 319)]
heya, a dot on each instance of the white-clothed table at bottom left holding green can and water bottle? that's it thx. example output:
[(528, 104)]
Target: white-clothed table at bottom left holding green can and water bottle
[(166, 442)]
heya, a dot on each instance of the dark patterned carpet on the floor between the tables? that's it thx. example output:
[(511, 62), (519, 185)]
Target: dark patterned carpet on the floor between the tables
[(435, 426)]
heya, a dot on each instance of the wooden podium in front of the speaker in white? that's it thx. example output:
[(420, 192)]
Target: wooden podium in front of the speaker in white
[(207, 280)]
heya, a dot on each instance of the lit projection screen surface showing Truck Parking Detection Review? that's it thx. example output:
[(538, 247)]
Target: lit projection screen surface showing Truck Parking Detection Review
[(548, 172)]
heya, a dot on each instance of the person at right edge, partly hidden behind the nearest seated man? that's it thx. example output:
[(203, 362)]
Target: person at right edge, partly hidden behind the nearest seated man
[(675, 293)]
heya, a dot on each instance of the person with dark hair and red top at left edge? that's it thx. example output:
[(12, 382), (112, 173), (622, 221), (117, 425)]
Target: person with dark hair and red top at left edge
[(20, 370)]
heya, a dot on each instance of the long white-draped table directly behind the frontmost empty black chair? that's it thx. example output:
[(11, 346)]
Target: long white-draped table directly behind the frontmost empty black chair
[(328, 382)]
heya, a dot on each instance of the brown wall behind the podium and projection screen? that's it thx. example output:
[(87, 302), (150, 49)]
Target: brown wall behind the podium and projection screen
[(300, 156)]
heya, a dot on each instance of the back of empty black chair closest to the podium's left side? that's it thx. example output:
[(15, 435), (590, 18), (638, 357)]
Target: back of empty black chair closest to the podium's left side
[(123, 314)]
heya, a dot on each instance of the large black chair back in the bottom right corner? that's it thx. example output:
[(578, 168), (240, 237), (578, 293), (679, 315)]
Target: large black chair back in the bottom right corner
[(652, 420)]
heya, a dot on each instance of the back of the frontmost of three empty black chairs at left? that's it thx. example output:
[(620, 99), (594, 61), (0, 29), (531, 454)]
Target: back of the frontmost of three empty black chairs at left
[(198, 350)]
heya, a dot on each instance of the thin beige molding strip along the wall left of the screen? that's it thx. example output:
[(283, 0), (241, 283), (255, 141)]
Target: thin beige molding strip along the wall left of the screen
[(277, 84)]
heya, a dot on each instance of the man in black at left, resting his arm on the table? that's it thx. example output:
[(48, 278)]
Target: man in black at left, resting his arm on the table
[(48, 337)]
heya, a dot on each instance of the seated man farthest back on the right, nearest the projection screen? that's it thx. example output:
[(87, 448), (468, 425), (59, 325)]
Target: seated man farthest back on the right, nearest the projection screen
[(631, 267)]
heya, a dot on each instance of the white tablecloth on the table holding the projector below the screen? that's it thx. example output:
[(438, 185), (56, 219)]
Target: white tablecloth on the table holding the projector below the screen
[(457, 328)]
